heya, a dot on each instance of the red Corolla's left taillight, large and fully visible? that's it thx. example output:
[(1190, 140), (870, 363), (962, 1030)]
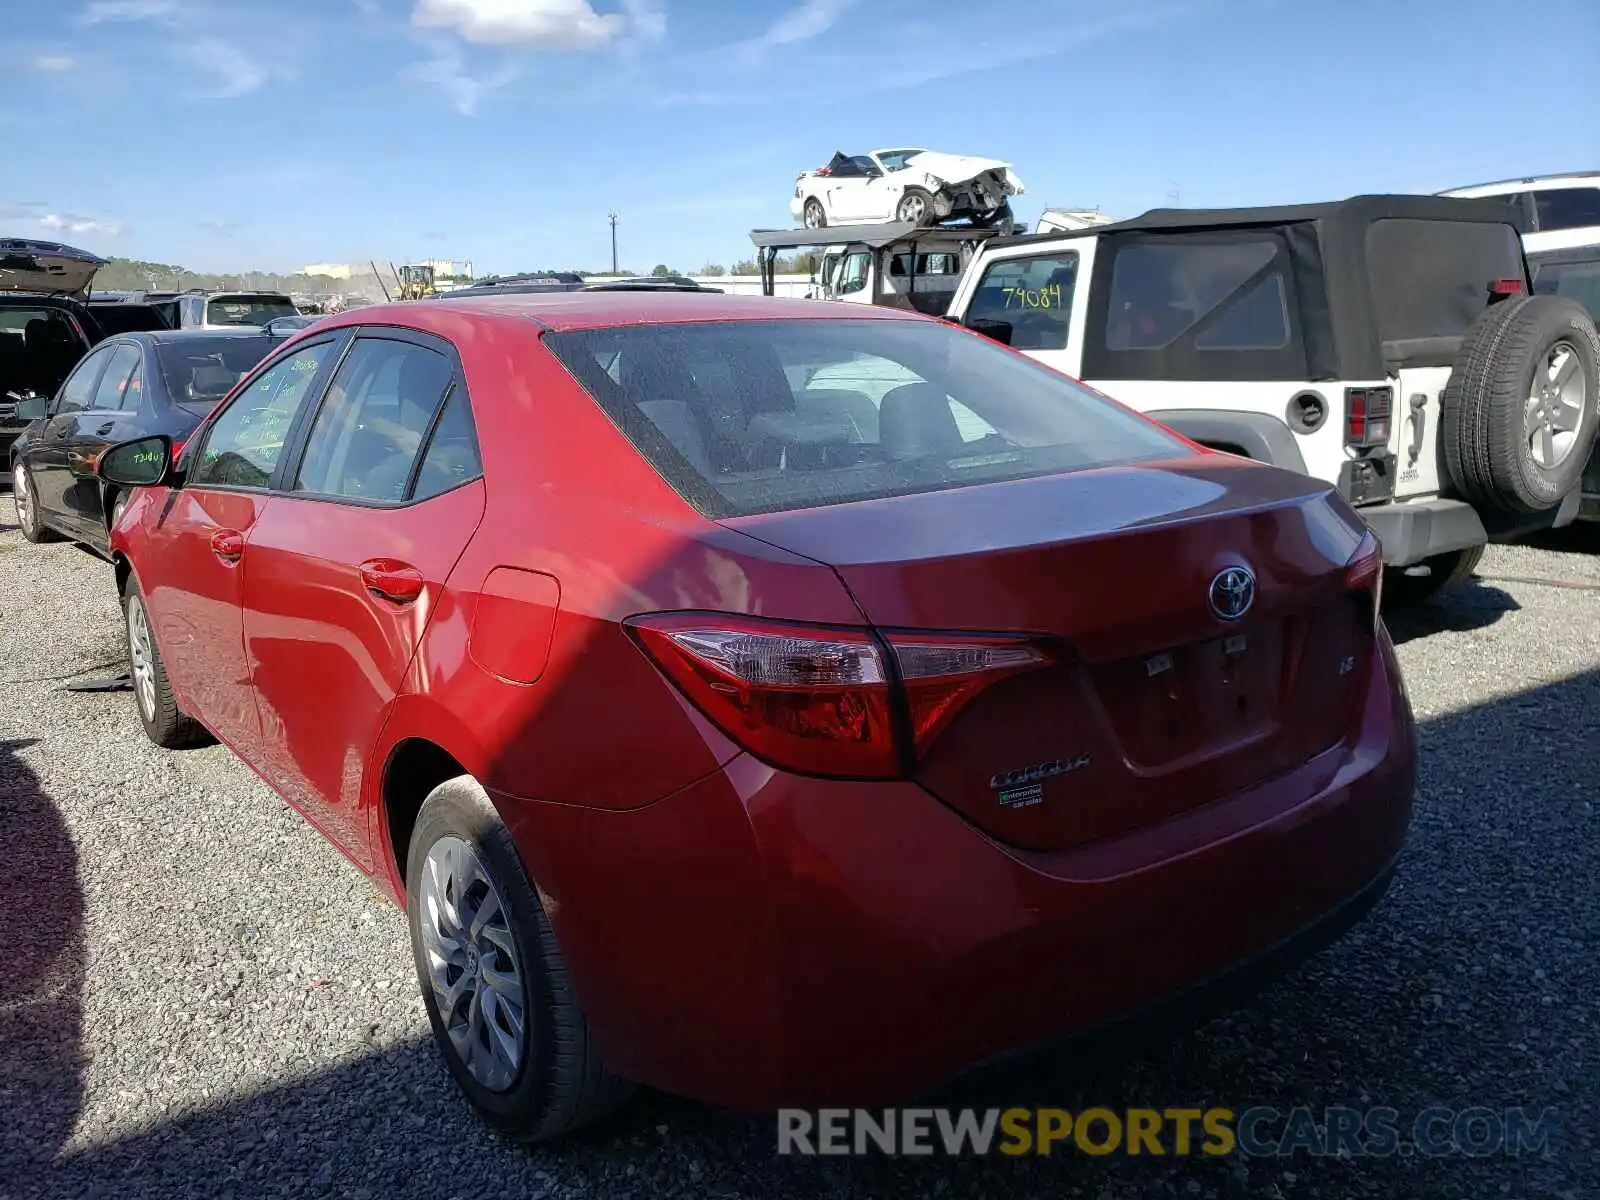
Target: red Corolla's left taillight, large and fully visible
[(823, 700)]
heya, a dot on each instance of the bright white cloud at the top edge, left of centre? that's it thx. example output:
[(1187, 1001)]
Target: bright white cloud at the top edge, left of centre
[(540, 25)]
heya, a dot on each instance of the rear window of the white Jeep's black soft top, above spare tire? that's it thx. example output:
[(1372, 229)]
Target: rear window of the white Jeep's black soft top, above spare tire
[(1431, 279)]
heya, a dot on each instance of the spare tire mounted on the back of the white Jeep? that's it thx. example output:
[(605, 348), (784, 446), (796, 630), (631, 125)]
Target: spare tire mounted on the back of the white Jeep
[(1513, 441)]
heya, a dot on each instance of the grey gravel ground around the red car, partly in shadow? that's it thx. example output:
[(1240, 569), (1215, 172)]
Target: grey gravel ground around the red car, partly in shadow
[(201, 998)]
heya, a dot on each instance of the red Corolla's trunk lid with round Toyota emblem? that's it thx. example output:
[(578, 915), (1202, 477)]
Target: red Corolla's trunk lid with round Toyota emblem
[(1156, 705)]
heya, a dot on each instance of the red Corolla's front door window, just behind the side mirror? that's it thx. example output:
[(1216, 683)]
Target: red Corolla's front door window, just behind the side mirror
[(244, 446)]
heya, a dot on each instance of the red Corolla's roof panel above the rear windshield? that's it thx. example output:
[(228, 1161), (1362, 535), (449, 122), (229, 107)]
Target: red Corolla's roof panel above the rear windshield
[(599, 310)]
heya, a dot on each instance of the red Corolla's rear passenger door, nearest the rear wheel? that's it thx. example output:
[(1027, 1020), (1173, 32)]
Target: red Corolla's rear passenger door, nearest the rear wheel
[(345, 567)]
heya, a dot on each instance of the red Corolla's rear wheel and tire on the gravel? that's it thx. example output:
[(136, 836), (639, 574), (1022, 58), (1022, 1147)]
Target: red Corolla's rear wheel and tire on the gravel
[(558, 1081)]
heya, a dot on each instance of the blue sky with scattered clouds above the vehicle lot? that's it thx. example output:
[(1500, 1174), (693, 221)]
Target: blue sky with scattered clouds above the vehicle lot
[(230, 135)]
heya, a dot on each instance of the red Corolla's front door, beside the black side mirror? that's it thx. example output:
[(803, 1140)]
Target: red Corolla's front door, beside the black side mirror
[(194, 559)]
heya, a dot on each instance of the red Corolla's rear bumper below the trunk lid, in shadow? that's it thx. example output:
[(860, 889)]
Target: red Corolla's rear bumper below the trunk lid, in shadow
[(762, 940)]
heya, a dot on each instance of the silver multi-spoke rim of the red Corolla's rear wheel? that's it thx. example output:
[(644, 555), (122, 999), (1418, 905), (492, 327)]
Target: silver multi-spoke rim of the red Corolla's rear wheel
[(473, 964)]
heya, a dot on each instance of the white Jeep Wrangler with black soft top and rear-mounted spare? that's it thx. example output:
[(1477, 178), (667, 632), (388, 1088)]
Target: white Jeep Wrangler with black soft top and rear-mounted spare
[(1388, 345)]
